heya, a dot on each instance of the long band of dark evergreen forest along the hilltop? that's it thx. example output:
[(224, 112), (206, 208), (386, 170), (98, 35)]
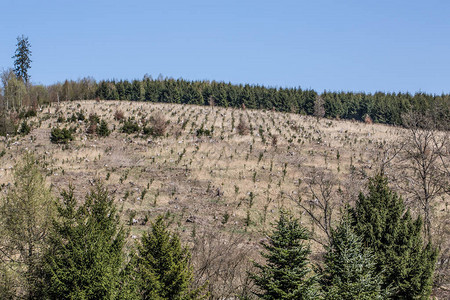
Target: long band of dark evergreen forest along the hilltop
[(386, 108)]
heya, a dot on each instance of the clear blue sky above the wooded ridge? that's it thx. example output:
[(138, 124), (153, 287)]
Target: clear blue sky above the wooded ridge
[(365, 45)]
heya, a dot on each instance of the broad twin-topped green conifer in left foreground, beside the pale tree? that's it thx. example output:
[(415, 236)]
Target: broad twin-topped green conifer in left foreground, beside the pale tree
[(85, 253)]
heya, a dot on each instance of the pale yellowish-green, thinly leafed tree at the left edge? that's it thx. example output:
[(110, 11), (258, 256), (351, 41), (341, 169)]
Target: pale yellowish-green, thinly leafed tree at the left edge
[(25, 220)]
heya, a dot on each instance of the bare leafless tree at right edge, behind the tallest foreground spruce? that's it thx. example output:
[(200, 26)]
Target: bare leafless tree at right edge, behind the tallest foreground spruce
[(425, 165)]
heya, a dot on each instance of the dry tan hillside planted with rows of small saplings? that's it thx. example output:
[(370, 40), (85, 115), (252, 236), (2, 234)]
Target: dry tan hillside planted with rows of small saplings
[(203, 174)]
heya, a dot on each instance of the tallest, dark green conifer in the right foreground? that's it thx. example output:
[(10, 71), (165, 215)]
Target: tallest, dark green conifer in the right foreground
[(396, 240)]
